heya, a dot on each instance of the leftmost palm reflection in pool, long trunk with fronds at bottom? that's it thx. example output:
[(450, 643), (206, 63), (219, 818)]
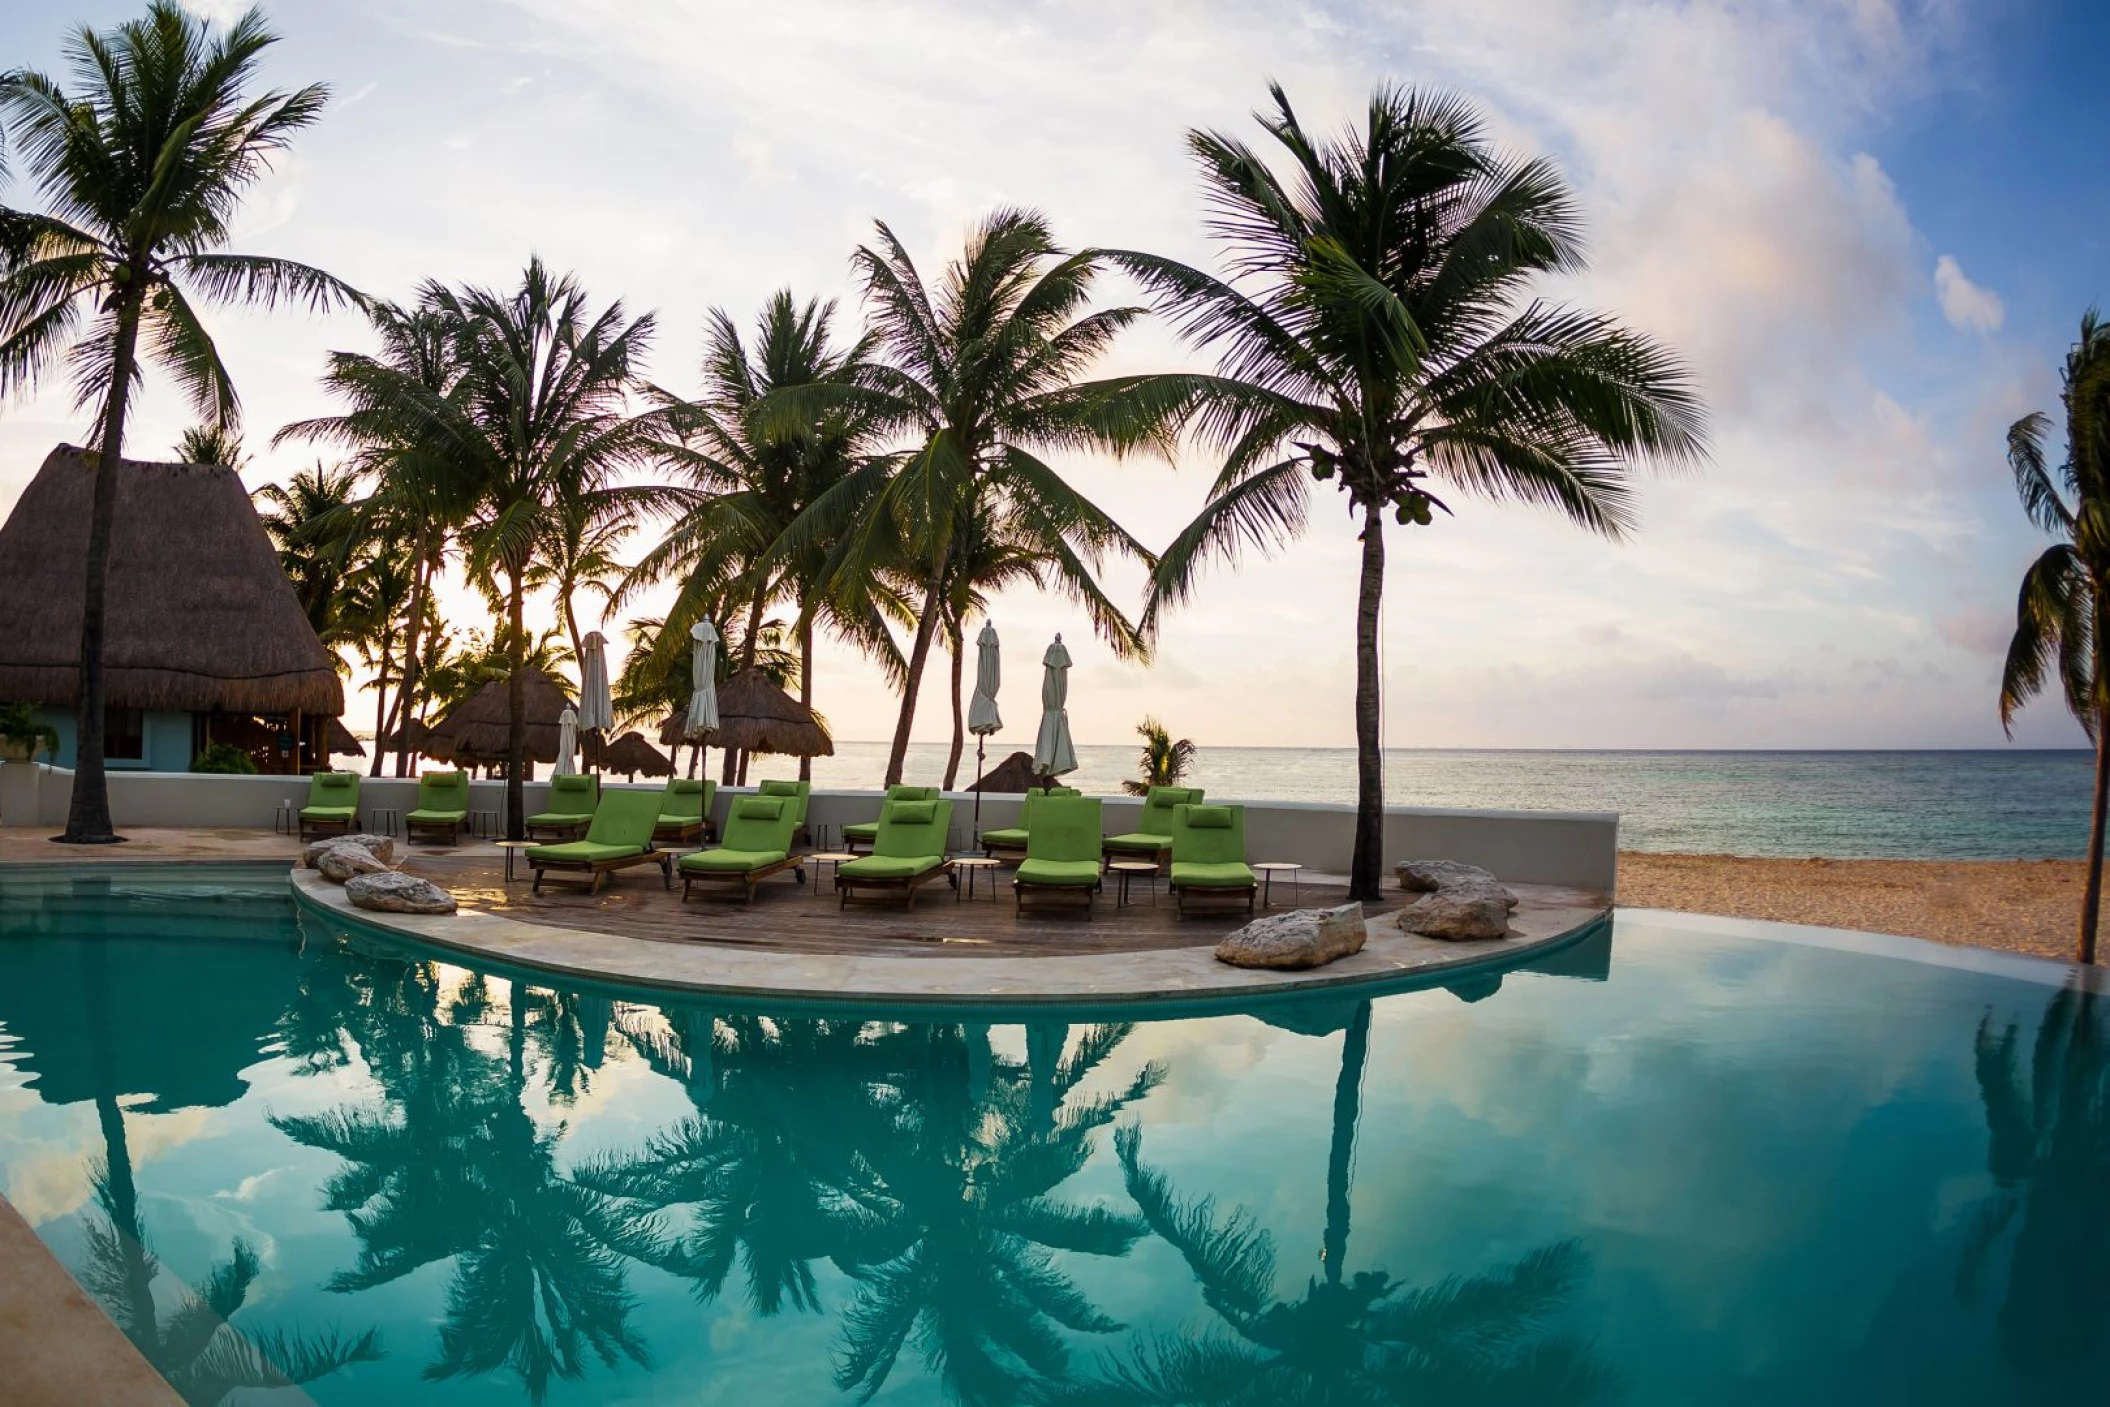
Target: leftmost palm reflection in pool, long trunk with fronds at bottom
[(193, 1347)]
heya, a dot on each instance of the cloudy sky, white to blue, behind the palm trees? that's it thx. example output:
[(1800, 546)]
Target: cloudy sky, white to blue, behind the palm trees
[(1866, 225)]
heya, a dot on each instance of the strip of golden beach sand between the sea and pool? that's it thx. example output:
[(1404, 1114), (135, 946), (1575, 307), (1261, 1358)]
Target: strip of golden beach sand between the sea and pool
[(2016, 906)]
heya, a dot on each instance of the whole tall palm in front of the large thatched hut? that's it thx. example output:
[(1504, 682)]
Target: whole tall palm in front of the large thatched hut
[(142, 168)]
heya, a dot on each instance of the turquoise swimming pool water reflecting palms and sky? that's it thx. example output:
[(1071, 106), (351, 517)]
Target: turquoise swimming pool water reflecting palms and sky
[(1679, 1165)]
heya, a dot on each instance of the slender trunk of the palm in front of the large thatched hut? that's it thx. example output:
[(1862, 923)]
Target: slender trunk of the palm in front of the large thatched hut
[(88, 815)]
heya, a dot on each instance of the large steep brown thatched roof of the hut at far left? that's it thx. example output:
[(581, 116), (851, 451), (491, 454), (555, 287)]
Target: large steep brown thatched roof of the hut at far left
[(199, 615)]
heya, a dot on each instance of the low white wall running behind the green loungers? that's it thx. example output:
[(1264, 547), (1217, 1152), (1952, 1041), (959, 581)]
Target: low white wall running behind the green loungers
[(1577, 849)]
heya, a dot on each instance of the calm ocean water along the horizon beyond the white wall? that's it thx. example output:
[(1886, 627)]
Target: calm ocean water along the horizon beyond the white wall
[(1968, 807)]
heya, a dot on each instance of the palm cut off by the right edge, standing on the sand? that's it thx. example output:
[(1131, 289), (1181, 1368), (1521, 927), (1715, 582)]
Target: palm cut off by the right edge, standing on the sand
[(2065, 613)]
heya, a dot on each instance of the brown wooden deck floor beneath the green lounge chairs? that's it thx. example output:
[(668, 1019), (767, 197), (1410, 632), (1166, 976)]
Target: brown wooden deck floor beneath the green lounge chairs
[(792, 917)]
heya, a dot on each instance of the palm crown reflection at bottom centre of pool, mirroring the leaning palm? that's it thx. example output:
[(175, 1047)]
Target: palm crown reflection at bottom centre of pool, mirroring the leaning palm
[(965, 1187)]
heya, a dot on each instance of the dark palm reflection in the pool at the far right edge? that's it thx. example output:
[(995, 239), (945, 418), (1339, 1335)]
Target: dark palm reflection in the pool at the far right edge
[(2050, 1159)]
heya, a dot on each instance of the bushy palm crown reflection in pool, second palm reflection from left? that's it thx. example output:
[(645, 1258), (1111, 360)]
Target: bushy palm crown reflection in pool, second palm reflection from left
[(450, 1168)]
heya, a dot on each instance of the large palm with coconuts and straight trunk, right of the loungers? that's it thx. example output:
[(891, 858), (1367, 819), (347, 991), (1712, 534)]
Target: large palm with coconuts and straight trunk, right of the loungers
[(1373, 332)]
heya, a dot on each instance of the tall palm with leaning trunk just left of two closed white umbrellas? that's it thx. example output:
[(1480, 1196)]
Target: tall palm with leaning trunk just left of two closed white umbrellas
[(984, 377)]
